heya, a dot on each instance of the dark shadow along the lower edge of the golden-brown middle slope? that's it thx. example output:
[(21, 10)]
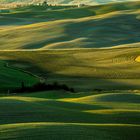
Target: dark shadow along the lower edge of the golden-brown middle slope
[(79, 83)]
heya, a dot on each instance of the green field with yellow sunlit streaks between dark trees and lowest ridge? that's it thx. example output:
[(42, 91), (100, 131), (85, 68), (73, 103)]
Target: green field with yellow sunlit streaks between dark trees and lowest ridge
[(27, 108)]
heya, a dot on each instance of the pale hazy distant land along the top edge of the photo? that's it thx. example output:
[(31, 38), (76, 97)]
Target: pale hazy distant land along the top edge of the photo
[(64, 1)]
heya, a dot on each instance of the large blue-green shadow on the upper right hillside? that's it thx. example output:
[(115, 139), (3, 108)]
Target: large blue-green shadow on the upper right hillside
[(107, 32)]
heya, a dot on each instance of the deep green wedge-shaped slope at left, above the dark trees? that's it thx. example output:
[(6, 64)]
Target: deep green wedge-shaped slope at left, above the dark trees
[(10, 78)]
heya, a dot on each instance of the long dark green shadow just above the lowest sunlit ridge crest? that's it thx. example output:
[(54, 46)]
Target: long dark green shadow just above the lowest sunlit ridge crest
[(52, 111)]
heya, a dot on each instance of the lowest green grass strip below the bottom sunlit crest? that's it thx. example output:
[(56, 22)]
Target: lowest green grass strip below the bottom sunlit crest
[(72, 131)]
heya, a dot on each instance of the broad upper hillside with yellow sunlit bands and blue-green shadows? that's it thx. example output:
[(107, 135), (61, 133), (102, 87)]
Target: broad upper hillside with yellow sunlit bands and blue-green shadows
[(87, 27)]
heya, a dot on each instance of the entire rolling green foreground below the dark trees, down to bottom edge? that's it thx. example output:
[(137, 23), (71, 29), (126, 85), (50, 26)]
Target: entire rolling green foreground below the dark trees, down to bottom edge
[(39, 116)]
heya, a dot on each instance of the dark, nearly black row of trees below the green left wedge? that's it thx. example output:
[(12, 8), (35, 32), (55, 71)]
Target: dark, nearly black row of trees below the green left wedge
[(42, 87)]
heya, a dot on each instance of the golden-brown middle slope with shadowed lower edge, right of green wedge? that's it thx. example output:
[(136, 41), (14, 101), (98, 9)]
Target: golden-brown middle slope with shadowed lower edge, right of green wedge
[(109, 70)]
